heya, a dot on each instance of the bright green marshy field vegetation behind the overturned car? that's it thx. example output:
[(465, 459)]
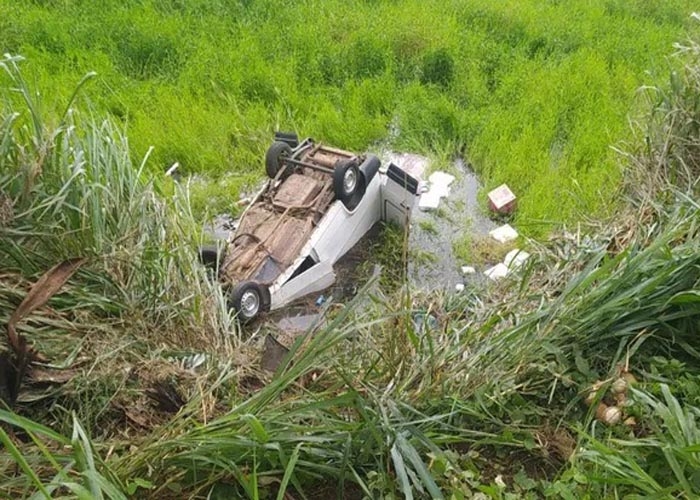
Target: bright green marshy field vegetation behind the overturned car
[(533, 92)]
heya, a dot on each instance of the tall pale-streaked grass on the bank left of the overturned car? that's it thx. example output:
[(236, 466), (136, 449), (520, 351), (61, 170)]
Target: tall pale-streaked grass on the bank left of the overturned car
[(74, 192)]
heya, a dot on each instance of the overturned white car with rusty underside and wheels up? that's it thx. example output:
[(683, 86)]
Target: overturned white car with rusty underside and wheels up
[(317, 204)]
